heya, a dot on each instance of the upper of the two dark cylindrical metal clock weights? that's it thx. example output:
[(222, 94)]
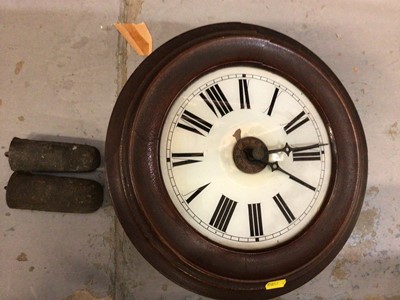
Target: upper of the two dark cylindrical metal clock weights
[(42, 156)]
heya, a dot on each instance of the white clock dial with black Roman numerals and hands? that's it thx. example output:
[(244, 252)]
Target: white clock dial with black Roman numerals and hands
[(245, 157)]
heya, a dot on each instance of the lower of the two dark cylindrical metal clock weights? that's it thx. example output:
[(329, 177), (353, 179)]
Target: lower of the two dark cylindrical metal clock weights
[(53, 193)]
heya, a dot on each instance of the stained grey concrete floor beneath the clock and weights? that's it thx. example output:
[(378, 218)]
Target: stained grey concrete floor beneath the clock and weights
[(62, 66)]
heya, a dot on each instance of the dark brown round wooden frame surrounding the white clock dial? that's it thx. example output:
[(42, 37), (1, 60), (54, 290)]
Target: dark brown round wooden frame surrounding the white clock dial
[(143, 205)]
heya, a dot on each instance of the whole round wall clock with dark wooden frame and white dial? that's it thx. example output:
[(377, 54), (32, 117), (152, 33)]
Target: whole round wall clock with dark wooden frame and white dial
[(236, 162)]
